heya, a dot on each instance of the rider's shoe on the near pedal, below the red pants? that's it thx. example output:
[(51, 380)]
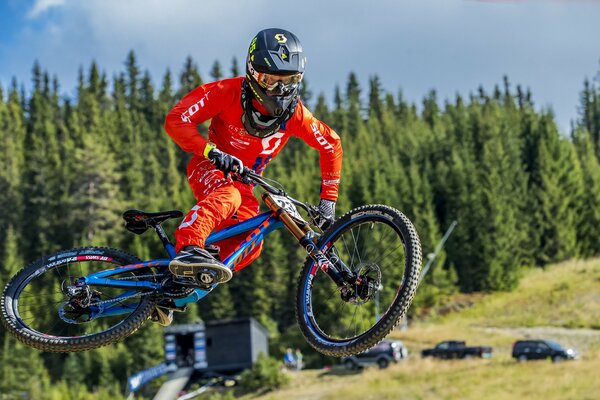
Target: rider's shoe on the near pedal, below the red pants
[(197, 263)]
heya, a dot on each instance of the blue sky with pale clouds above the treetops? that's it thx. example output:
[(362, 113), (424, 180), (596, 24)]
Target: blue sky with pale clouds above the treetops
[(413, 46)]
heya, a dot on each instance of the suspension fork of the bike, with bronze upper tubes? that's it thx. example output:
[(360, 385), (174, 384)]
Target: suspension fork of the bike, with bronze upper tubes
[(336, 270)]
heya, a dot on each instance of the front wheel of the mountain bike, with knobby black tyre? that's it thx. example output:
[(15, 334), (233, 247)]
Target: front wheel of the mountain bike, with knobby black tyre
[(381, 249)]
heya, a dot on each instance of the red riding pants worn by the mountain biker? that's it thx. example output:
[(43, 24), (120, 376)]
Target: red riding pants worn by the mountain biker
[(221, 203)]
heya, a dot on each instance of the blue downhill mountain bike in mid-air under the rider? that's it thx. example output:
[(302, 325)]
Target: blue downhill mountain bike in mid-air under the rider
[(358, 280)]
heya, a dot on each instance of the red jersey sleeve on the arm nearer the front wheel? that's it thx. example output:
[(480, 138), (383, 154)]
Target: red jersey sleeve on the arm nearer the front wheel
[(321, 137)]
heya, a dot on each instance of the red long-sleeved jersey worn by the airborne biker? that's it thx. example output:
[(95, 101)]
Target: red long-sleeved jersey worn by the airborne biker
[(221, 101)]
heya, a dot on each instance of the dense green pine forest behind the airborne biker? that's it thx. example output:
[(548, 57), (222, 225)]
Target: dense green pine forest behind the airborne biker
[(523, 194)]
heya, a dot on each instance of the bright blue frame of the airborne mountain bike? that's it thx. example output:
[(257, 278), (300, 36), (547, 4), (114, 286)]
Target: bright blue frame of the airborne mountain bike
[(259, 227)]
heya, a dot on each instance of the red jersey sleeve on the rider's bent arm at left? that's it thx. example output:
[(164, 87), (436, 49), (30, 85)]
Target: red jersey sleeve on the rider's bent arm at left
[(198, 106)]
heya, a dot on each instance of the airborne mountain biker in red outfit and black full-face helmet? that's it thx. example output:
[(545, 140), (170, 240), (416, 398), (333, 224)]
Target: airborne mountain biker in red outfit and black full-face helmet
[(253, 117)]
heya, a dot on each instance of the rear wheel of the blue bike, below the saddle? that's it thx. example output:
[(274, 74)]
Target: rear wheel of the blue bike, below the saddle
[(46, 306)]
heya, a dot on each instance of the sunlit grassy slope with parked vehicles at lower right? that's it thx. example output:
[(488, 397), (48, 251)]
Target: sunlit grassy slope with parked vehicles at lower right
[(561, 302)]
